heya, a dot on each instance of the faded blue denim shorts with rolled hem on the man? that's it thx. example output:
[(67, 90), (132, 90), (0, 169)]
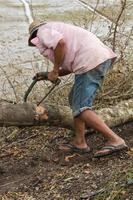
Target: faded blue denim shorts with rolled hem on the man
[(85, 86)]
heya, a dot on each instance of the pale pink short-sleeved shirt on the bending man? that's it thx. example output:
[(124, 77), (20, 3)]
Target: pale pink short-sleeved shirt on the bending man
[(84, 50)]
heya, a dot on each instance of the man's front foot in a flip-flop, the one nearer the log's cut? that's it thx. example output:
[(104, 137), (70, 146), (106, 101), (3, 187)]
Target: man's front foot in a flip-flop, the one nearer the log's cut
[(72, 148)]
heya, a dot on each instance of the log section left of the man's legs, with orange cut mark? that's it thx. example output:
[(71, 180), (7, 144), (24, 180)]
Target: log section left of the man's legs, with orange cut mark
[(29, 115)]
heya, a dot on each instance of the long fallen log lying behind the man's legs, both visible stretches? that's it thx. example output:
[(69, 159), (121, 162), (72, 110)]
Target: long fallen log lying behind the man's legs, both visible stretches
[(31, 115)]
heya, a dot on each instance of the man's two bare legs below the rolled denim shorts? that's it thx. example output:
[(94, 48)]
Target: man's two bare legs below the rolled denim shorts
[(91, 119)]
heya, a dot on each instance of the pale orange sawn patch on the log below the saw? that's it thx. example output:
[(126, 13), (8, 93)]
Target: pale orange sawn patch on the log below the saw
[(41, 113)]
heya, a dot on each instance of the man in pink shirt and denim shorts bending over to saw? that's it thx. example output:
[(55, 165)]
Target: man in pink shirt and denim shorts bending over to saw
[(75, 50)]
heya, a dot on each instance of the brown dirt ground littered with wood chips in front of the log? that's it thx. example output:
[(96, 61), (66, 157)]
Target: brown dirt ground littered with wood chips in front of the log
[(32, 167)]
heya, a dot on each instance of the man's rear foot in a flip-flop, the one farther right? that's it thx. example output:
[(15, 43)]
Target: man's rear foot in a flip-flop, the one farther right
[(110, 149)]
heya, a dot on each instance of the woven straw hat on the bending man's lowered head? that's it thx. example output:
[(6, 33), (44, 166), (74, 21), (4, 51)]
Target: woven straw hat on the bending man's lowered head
[(32, 28)]
